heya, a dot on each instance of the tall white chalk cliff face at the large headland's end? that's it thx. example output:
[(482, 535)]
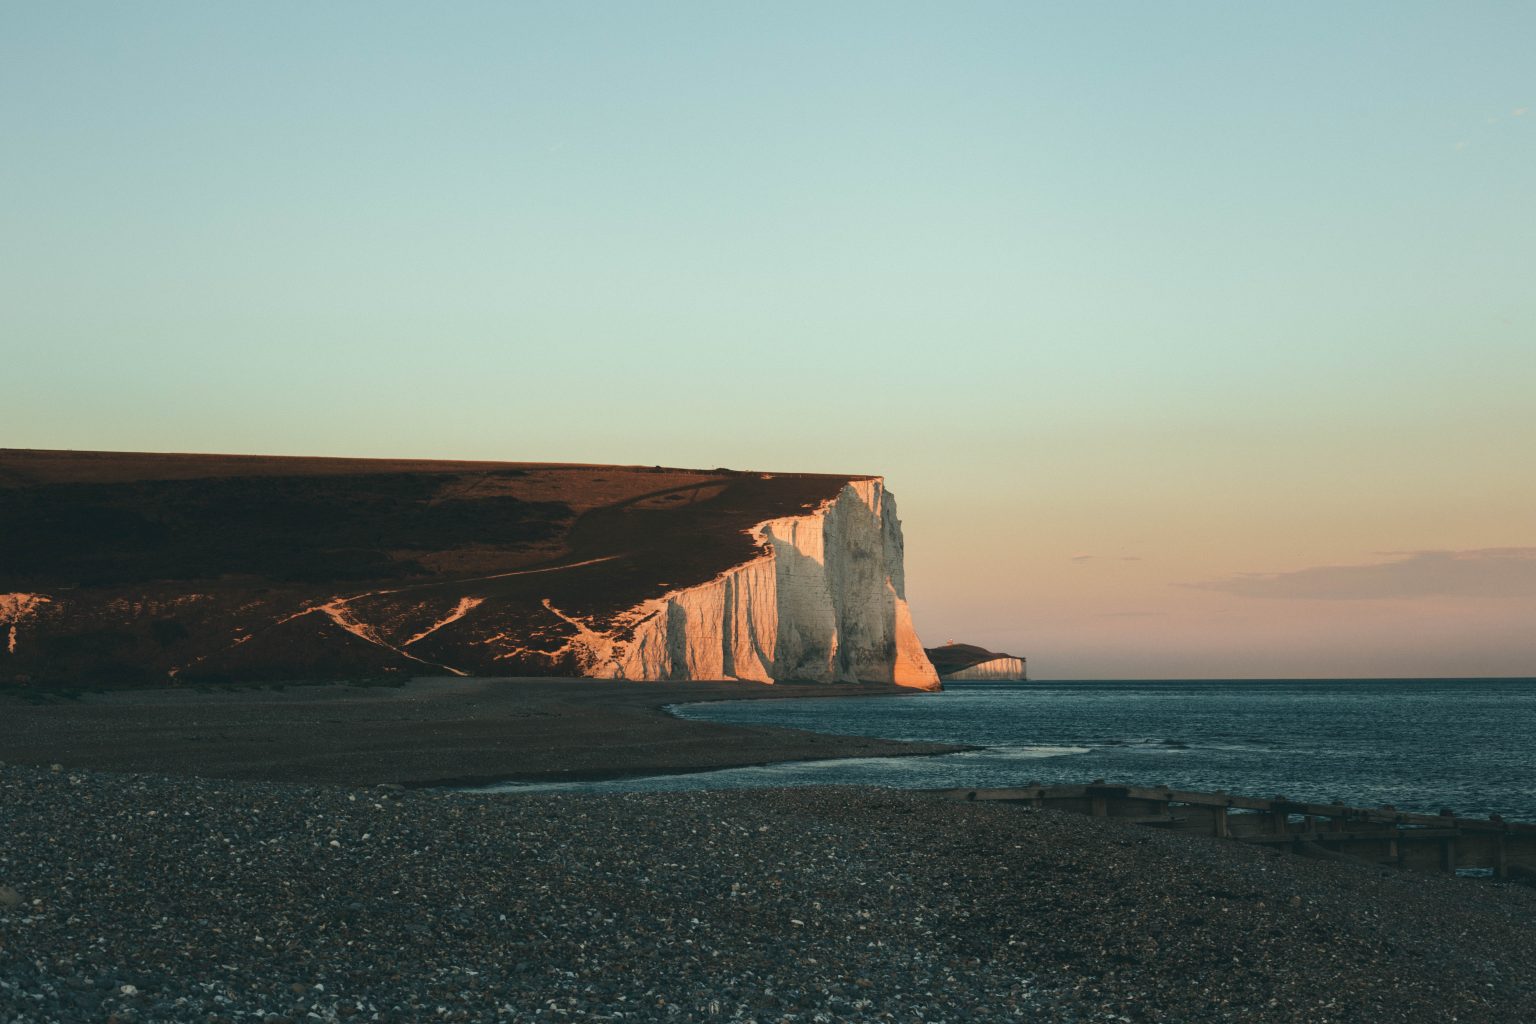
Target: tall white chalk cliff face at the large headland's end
[(826, 601)]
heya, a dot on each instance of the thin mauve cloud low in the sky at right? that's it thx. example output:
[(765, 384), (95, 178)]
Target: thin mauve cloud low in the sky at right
[(1409, 575)]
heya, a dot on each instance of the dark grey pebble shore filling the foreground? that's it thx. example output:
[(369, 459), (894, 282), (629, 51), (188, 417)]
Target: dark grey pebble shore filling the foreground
[(142, 899)]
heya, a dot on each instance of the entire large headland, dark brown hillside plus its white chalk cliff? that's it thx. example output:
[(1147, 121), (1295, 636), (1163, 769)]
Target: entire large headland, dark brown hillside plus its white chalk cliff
[(139, 569)]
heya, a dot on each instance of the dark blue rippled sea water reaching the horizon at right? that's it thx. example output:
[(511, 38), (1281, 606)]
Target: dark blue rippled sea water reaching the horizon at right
[(1422, 745)]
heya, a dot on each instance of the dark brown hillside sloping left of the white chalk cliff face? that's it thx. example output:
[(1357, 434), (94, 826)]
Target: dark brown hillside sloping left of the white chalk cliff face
[(121, 569)]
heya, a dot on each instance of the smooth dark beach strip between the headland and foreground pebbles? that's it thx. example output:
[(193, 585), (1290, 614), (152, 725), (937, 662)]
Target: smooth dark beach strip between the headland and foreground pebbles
[(429, 732)]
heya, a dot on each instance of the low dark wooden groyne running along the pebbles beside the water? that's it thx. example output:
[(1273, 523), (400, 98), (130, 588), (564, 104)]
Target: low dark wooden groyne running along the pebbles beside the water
[(1379, 836)]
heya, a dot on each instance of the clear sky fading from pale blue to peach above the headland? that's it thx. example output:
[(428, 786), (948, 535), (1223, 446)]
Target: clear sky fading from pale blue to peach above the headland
[(1196, 340)]
